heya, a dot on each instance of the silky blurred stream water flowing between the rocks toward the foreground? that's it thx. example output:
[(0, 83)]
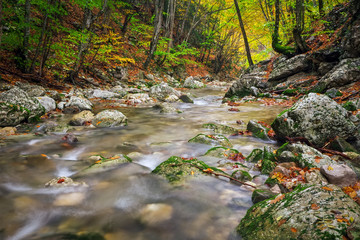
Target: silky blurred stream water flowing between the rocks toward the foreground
[(127, 202)]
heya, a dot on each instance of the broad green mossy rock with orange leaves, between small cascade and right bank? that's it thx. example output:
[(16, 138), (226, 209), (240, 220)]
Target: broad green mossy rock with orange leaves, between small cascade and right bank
[(176, 169)]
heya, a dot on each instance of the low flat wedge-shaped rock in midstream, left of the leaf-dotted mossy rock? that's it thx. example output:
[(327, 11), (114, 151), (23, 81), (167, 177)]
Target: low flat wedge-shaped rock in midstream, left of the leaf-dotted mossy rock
[(105, 164)]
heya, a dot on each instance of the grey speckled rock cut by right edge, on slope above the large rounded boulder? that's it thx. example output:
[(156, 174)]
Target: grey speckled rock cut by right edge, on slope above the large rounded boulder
[(347, 71)]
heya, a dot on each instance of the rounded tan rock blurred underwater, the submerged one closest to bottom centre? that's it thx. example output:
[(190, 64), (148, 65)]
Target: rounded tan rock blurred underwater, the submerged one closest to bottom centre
[(155, 214)]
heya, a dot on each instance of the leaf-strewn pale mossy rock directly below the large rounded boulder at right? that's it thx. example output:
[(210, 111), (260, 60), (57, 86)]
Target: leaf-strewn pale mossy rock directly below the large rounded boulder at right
[(303, 155)]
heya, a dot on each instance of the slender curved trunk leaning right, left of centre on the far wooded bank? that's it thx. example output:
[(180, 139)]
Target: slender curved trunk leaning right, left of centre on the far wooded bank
[(159, 6)]
